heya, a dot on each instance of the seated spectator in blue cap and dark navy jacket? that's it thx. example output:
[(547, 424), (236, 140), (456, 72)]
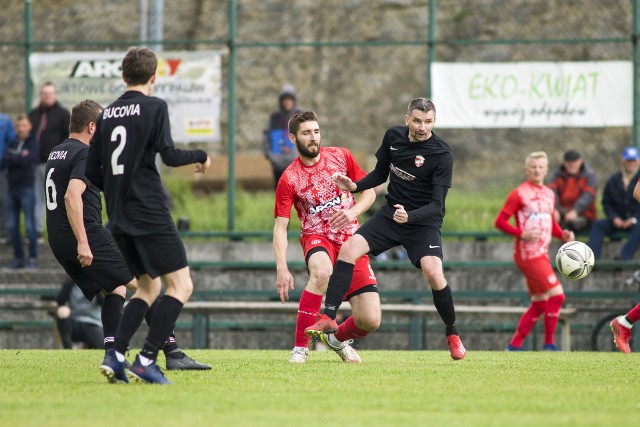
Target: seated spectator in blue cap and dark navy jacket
[(621, 209)]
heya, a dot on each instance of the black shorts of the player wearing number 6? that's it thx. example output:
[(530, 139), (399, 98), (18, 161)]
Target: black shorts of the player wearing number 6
[(107, 271)]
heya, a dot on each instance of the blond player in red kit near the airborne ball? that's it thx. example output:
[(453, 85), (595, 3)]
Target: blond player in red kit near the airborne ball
[(532, 203)]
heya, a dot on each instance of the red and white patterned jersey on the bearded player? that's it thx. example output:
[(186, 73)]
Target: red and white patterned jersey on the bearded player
[(312, 191)]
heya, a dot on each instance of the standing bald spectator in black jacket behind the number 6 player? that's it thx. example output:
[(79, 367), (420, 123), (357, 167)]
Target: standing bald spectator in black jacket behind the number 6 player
[(50, 122)]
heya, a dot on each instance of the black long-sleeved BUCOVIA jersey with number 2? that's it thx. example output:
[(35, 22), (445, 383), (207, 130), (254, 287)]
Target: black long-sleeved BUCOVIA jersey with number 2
[(121, 161)]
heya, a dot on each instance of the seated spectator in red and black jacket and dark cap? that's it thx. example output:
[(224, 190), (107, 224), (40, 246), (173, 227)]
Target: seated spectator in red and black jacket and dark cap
[(574, 184)]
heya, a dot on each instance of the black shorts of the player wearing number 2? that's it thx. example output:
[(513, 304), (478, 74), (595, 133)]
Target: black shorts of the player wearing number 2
[(153, 254)]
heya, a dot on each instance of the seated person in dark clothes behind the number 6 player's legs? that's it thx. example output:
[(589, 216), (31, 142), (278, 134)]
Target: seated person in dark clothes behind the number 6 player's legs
[(78, 319)]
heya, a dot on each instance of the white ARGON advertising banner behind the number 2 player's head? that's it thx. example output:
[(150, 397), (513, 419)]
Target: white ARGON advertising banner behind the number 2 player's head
[(190, 83)]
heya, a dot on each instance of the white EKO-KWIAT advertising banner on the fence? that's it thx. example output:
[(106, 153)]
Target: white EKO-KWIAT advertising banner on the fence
[(533, 94)]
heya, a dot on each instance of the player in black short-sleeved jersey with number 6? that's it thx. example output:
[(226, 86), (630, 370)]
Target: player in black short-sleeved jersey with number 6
[(78, 240)]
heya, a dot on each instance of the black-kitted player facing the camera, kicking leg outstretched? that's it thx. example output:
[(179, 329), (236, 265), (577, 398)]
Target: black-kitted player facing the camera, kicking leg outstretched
[(419, 165)]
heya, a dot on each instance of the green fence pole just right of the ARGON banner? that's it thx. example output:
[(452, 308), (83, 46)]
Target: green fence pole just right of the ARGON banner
[(231, 181)]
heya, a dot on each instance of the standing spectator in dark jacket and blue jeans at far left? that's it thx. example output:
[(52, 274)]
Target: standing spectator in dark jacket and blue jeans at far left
[(20, 160)]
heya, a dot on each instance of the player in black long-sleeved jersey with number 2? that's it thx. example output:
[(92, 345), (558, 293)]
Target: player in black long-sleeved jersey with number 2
[(121, 161)]
